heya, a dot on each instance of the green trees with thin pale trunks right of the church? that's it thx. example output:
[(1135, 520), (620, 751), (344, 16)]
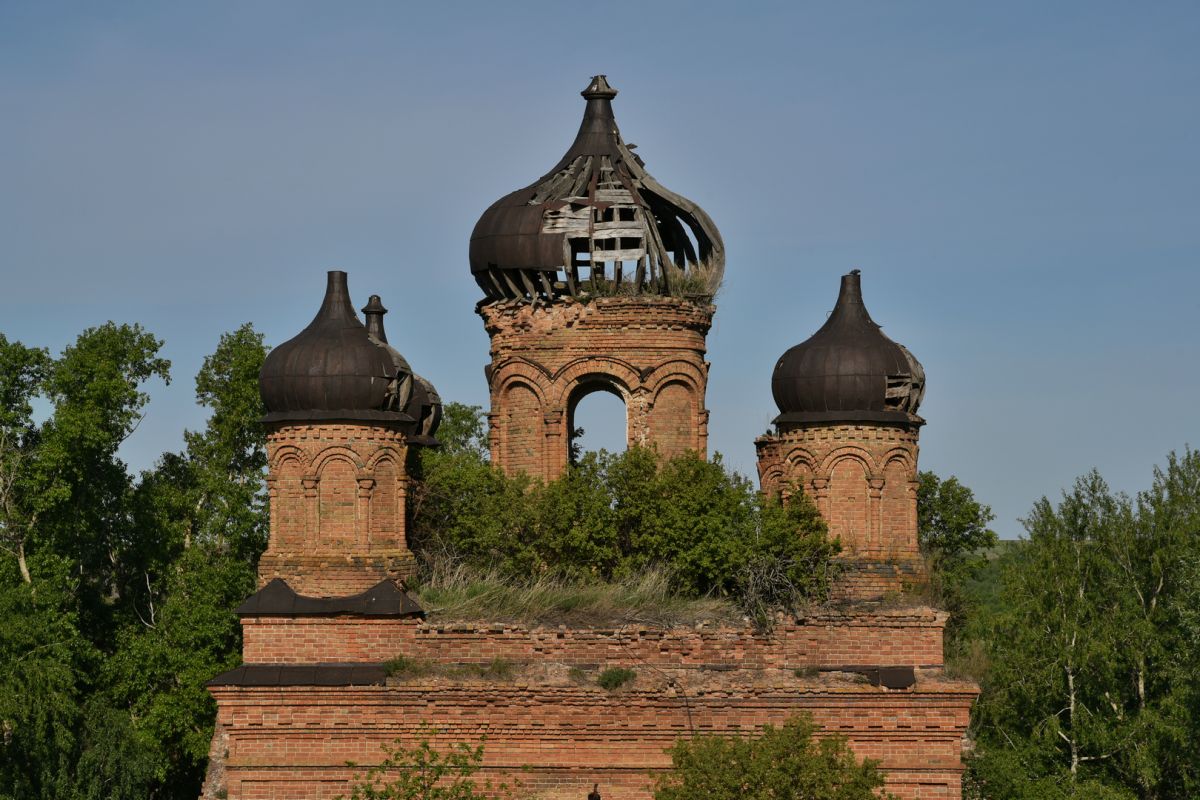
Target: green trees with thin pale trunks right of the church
[(1091, 689)]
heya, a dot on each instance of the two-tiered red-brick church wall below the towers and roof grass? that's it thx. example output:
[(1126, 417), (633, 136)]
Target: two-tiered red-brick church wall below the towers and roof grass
[(550, 726)]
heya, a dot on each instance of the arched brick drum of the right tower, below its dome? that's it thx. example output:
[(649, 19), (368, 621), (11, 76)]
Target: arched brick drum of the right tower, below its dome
[(863, 479)]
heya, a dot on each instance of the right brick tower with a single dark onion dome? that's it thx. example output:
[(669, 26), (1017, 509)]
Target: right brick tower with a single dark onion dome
[(847, 436)]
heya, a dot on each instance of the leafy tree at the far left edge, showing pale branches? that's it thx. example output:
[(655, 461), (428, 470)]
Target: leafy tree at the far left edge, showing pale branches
[(65, 526)]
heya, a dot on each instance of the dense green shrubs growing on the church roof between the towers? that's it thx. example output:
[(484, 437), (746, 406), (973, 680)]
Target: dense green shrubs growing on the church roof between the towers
[(615, 515)]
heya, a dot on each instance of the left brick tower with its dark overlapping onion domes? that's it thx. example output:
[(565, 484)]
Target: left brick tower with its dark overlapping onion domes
[(344, 408)]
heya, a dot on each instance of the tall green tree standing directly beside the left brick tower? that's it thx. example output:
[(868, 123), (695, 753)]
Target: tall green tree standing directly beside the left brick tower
[(202, 520)]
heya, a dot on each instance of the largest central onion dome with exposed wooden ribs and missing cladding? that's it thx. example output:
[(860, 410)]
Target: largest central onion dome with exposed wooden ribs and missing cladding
[(597, 224)]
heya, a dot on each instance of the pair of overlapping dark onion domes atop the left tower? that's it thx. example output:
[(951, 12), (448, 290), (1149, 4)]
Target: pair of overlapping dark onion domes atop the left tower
[(339, 369)]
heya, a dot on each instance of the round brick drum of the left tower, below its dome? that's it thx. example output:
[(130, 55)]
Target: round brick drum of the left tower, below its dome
[(338, 500)]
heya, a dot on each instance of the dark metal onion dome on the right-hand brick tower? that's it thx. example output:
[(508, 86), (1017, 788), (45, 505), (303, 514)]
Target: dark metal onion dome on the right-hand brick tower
[(849, 370)]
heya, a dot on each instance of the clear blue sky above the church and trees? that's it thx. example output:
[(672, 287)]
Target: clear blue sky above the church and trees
[(1018, 183)]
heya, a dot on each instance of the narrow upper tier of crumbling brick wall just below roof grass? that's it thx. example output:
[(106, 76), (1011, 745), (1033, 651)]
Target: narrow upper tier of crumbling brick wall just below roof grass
[(903, 637)]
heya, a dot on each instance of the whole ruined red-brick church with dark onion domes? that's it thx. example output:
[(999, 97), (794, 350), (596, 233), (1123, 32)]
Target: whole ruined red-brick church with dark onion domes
[(596, 279)]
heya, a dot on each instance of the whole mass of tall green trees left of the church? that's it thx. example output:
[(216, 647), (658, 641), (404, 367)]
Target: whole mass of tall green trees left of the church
[(117, 591)]
